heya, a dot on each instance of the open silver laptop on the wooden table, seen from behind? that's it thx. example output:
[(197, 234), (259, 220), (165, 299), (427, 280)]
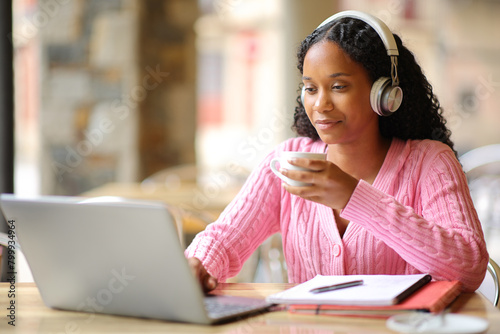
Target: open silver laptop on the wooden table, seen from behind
[(114, 257)]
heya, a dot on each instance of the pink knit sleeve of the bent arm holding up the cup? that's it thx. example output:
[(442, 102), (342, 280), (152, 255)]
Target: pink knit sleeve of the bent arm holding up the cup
[(439, 234)]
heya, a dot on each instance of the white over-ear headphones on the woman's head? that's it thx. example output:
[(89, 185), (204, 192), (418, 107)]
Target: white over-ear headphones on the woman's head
[(386, 95)]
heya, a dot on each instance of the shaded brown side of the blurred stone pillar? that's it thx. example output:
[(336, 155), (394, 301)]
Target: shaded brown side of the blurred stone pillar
[(167, 69)]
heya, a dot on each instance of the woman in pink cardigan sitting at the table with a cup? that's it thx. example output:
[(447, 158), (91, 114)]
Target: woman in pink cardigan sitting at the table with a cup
[(391, 198)]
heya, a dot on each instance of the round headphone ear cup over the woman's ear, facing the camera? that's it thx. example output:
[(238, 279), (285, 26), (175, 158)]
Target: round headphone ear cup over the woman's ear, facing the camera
[(385, 98)]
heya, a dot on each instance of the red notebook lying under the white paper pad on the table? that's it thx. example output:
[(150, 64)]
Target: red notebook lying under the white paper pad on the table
[(433, 297)]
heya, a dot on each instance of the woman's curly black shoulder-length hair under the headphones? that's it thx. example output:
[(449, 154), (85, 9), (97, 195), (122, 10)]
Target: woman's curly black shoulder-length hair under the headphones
[(420, 115)]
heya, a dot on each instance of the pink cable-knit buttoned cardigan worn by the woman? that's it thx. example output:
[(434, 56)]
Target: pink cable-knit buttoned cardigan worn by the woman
[(417, 217)]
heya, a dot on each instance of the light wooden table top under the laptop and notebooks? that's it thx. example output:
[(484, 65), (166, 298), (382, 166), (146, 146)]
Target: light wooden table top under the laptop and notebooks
[(32, 316)]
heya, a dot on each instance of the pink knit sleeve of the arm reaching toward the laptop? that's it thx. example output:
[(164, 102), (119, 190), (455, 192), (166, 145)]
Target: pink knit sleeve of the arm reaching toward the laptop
[(247, 221)]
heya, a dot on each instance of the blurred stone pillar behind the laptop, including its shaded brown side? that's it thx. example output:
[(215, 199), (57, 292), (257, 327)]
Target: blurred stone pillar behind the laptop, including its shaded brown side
[(106, 91)]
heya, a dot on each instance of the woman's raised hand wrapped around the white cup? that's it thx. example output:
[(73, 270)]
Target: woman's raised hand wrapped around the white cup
[(329, 184)]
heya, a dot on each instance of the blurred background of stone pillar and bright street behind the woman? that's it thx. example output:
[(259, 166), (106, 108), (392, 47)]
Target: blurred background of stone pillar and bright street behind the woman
[(141, 98)]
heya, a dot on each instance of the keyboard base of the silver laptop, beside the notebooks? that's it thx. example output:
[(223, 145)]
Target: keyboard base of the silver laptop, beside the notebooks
[(225, 306)]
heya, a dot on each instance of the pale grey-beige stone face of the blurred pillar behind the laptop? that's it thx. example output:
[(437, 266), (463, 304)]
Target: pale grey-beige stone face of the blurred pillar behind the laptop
[(86, 89)]
